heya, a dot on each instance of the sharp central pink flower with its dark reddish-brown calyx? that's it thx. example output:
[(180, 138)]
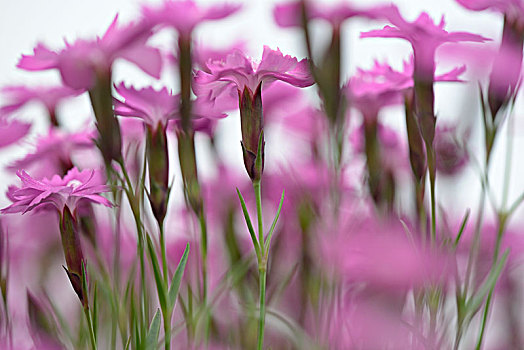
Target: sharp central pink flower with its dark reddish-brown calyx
[(239, 75)]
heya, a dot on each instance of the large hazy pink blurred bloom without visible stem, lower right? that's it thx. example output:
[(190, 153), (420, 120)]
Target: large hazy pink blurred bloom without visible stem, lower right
[(380, 255)]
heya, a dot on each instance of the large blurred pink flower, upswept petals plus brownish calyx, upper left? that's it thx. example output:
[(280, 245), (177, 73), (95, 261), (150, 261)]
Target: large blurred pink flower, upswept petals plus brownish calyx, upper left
[(87, 64)]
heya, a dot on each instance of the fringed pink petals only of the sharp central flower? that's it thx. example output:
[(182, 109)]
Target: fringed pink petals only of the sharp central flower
[(238, 72)]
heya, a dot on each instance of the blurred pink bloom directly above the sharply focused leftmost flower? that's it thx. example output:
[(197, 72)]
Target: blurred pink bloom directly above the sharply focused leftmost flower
[(54, 152)]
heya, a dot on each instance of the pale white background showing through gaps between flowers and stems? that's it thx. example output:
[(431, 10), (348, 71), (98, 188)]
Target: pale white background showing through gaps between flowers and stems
[(23, 23)]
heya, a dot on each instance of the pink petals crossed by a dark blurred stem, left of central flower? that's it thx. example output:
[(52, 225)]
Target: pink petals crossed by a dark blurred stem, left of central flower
[(158, 107)]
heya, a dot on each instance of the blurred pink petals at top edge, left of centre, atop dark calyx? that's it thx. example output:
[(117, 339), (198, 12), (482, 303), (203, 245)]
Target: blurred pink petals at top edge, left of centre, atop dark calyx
[(185, 15)]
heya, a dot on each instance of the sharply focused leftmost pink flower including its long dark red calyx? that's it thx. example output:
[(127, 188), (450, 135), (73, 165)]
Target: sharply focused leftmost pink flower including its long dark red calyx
[(64, 195)]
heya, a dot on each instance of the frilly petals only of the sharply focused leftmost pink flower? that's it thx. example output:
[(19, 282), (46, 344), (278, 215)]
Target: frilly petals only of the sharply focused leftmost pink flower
[(74, 187)]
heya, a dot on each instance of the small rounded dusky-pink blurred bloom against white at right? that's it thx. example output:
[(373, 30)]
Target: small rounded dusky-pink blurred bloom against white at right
[(450, 150)]
